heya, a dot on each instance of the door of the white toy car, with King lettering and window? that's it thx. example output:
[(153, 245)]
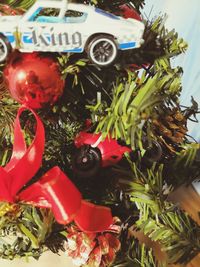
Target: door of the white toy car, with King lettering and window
[(44, 30)]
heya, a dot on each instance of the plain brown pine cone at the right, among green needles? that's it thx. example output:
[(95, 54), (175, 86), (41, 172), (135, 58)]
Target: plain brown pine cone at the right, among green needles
[(171, 128)]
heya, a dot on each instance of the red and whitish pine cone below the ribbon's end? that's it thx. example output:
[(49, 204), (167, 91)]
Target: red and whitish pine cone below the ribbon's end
[(93, 249)]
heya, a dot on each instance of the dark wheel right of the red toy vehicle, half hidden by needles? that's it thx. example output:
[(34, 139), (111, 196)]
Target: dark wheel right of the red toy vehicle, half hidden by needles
[(154, 152)]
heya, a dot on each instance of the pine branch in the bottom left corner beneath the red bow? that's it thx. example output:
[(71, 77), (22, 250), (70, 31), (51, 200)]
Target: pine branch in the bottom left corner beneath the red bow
[(27, 229)]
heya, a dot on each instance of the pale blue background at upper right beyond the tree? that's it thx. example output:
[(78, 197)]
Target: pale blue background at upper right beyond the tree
[(184, 16)]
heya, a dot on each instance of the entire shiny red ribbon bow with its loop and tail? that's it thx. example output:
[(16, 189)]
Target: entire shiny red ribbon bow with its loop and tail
[(54, 190)]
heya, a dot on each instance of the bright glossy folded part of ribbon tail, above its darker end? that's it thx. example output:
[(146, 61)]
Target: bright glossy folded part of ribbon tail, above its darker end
[(55, 190)]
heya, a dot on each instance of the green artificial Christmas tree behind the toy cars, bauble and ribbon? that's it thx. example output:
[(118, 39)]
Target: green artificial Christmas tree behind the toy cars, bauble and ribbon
[(138, 105)]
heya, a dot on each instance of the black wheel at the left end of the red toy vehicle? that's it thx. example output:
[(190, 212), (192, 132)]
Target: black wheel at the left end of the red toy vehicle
[(87, 161)]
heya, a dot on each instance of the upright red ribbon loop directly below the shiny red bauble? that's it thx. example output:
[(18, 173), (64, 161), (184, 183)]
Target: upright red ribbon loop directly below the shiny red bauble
[(25, 162)]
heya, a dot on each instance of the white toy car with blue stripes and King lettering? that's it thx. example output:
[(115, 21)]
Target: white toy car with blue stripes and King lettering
[(69, 28)]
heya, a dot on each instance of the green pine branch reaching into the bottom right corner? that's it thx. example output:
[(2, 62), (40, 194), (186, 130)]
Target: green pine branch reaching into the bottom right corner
[(161, 220)]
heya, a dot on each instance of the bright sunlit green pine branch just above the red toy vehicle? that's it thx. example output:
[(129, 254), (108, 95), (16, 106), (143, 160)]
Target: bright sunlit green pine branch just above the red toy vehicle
[(134, 105)]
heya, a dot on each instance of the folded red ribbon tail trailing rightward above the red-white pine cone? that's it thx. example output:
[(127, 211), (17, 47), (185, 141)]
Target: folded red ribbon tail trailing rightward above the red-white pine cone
[(55, 190)]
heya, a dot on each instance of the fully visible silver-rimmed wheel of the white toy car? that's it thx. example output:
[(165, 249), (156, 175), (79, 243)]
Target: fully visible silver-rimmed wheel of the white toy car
[(102, 50)]
